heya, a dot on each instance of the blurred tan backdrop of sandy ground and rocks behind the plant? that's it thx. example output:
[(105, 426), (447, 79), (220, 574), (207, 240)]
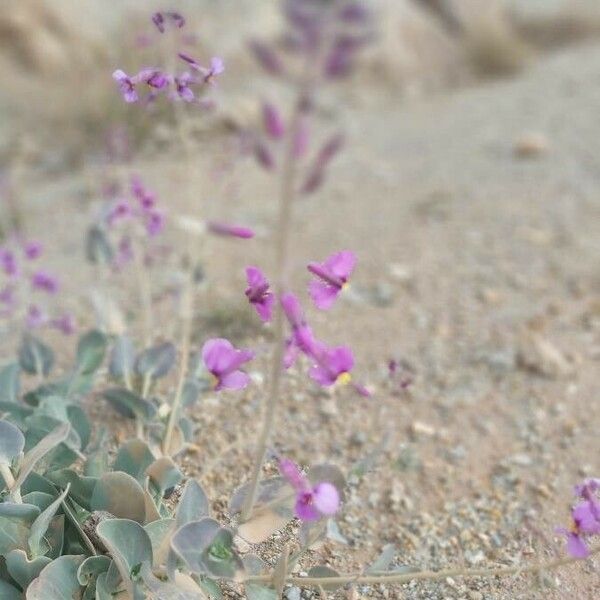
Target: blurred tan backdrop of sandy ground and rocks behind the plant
[(468, 189)]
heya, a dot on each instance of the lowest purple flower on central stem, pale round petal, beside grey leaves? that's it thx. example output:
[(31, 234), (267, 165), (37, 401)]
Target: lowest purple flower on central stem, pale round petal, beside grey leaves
[(312, 502)]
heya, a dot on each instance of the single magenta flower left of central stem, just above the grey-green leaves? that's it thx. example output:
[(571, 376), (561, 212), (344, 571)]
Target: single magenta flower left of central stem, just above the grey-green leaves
[(222, 360)]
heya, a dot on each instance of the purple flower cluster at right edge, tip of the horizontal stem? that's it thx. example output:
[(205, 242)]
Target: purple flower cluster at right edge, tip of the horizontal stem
[(585, 518)]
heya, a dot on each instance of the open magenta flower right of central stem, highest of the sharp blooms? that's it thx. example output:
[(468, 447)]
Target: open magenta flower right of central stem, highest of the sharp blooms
[(331, 278)]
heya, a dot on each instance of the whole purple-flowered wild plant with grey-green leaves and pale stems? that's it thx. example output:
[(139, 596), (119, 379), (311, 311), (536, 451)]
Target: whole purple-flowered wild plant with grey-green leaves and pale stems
[(82, 518)]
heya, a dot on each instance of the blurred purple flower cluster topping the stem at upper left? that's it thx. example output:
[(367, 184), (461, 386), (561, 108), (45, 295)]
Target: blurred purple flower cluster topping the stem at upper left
[(185, 85)]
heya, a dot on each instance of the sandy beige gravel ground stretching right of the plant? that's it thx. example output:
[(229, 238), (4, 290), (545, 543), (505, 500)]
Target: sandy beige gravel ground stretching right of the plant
[(479, 268)]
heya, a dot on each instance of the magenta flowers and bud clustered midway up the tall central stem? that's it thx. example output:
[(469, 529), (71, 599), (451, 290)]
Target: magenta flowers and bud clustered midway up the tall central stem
[(329, 365)]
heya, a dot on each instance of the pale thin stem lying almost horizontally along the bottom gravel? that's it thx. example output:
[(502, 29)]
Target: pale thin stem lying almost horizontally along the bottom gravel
[(345, 579)]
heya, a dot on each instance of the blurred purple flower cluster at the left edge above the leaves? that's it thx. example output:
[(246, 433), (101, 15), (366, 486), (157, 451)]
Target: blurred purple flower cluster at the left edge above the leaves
[(27, 287)]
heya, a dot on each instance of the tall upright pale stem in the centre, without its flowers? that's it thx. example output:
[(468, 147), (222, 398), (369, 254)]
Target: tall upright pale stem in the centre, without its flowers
[(284, 222)]
